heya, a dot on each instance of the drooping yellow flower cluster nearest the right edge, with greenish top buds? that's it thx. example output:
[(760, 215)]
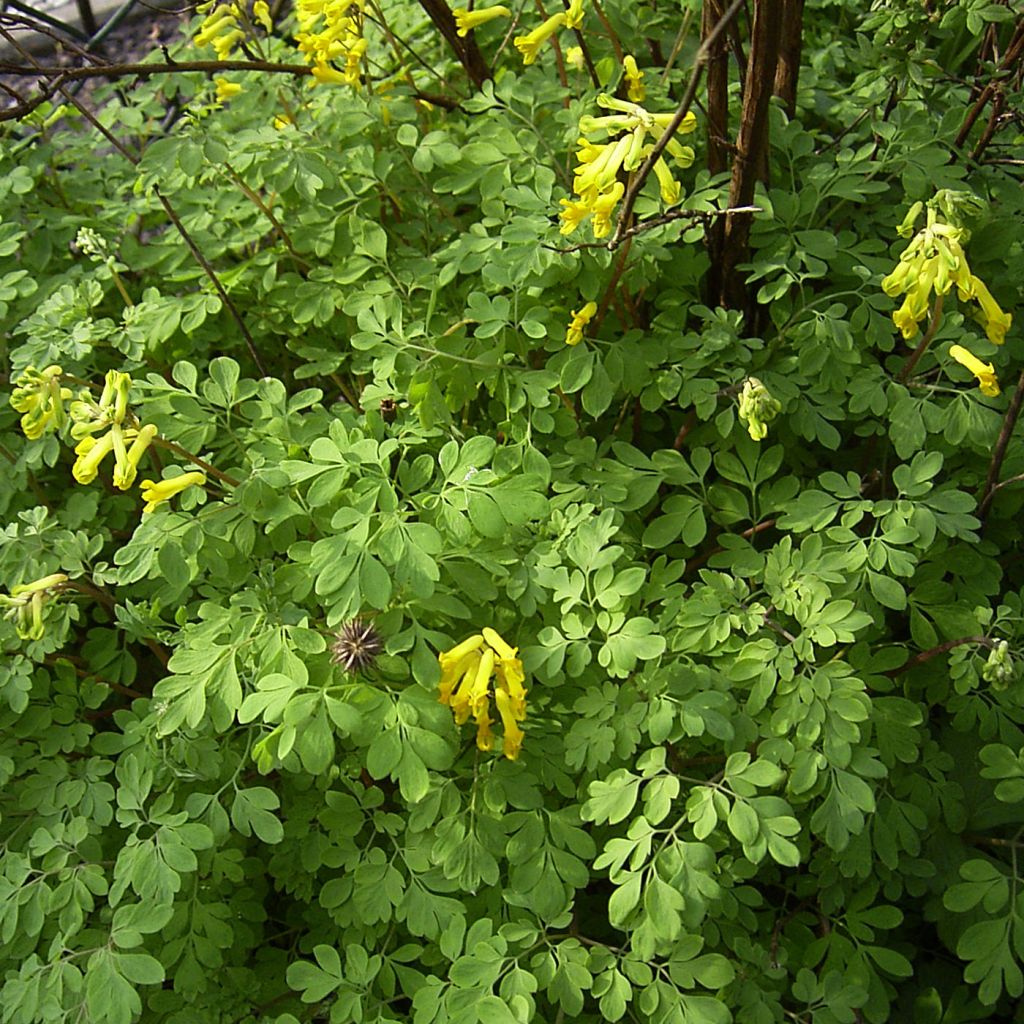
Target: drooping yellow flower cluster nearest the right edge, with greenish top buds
[(935, 260)]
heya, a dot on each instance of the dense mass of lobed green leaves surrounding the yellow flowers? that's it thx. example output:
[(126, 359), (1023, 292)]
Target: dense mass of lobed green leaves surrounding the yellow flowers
[(774, 766)]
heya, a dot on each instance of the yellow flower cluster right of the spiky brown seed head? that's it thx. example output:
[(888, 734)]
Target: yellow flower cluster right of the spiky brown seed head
[(465, 688)]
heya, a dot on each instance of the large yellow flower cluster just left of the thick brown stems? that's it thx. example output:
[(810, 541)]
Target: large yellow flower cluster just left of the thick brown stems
[(632, 132)]
